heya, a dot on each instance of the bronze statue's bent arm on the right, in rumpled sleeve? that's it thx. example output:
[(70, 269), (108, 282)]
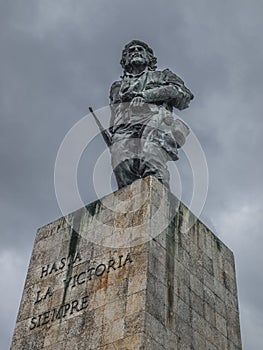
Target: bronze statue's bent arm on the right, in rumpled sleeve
[(171, 90)]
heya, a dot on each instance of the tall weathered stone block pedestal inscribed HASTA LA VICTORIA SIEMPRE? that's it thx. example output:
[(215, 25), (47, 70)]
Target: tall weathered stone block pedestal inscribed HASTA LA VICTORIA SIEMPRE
[(135, 270)]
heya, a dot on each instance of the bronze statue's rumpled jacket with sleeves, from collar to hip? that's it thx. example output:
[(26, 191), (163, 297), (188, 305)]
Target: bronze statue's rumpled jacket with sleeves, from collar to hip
[(162, 91)]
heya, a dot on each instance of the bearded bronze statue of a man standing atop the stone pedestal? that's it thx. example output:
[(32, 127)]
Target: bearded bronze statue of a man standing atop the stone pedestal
[(145, 135)]
